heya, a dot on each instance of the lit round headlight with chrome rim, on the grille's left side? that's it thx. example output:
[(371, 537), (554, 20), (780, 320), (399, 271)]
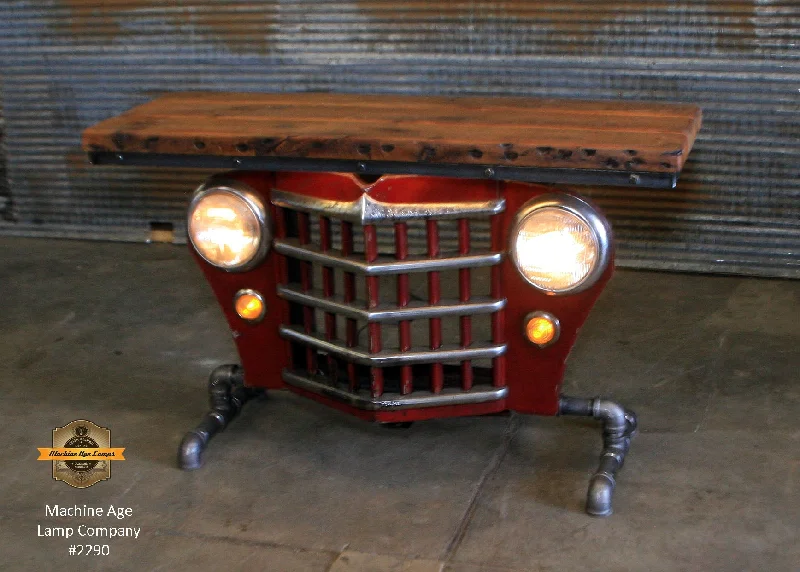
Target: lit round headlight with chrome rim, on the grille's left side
[(228, 225)]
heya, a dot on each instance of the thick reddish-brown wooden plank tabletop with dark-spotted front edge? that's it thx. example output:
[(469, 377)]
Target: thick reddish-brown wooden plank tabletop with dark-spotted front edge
[(519, 132)]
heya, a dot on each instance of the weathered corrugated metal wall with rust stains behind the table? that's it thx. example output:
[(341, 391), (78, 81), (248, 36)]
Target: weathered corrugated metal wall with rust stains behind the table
[(67, 64)]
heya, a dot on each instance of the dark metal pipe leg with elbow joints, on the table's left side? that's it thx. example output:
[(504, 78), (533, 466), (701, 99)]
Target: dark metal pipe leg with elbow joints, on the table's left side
[(227, 395)]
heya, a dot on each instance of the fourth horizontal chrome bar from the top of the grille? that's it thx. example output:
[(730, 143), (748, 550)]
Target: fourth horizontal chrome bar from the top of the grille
[(391, 358)]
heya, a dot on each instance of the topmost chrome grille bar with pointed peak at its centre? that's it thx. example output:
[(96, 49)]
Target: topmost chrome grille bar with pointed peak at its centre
[(366, 210)]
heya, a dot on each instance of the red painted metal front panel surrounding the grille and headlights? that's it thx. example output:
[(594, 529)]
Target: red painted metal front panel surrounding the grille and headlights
[(533, 375)]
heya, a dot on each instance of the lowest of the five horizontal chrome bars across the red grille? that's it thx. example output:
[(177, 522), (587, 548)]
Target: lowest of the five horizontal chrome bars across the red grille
[(418, 400)]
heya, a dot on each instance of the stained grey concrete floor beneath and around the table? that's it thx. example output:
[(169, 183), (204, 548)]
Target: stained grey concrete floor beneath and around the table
[(125, 335)]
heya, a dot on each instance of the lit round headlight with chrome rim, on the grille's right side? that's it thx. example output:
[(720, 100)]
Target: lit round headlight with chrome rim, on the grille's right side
[(560, 244)]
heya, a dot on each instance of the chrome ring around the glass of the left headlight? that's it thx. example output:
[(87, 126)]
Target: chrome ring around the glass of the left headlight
[(254, 203)]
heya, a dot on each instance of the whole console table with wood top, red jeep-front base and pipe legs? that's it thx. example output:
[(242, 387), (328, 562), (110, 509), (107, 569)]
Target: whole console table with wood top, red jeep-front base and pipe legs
[(404, 258)]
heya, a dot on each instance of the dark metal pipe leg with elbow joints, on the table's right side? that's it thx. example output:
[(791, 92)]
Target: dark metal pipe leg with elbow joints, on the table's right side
[(619, 426)]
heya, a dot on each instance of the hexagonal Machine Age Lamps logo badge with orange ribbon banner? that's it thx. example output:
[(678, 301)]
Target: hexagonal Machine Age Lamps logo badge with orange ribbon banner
[(81, 454)]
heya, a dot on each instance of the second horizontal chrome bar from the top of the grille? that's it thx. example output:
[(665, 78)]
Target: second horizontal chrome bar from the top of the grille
[(291, 247)]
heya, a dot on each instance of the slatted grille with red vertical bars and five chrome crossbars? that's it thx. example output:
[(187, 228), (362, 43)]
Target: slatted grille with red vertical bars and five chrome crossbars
[(364, 280)]
